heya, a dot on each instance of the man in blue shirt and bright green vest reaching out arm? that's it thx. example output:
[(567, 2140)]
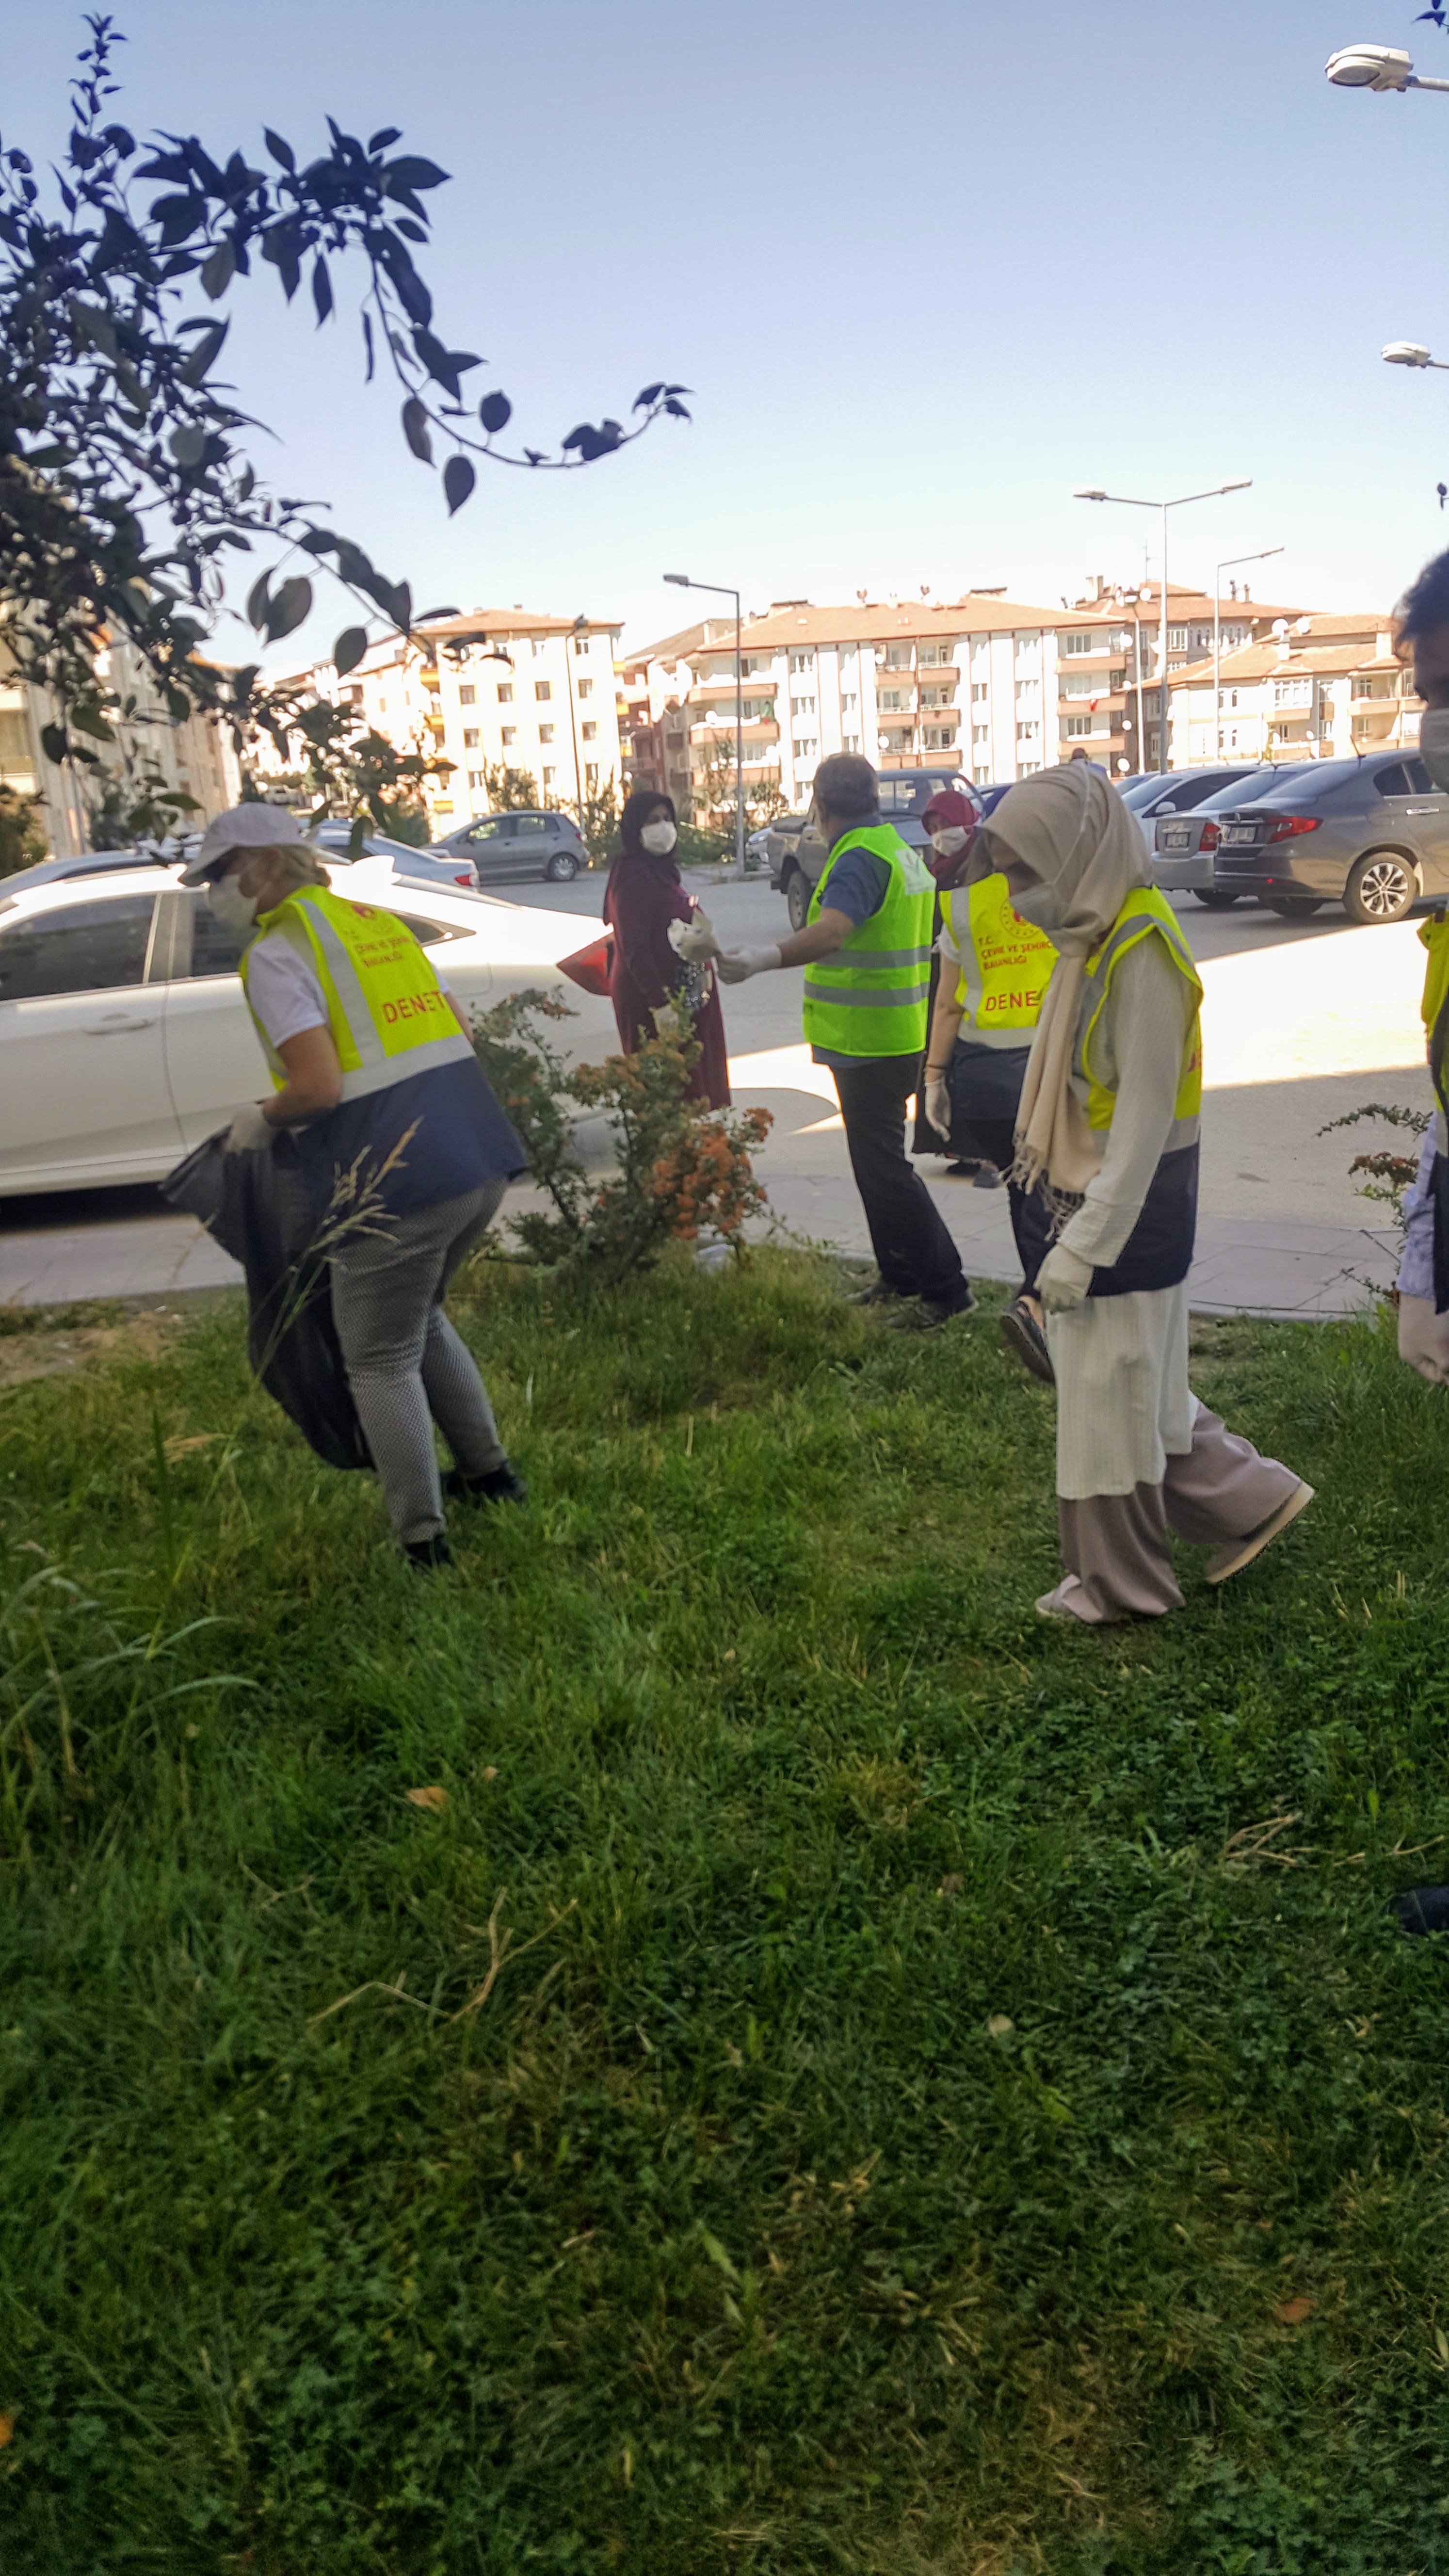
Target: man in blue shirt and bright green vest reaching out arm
[(868, 975)]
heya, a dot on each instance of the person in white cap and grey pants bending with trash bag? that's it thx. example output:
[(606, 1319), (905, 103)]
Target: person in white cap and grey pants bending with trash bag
[(401, 1148)]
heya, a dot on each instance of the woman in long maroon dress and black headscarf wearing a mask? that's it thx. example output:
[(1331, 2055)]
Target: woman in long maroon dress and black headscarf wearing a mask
[(641, 903)]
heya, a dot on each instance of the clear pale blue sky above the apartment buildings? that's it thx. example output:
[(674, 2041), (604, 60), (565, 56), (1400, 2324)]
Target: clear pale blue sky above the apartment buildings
[(924, 269)]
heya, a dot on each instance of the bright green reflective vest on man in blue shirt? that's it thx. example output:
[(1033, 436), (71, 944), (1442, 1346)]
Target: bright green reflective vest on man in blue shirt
[(870, 998)]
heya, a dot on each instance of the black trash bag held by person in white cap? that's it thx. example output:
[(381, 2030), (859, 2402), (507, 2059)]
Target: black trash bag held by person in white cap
[(257, 1209)]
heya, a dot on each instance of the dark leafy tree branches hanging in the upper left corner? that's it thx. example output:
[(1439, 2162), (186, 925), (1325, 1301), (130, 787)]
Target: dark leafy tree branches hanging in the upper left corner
[(125, 483)]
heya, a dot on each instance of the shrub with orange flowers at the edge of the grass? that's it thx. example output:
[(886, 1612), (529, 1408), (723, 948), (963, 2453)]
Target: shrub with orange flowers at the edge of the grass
[(682, 1168)]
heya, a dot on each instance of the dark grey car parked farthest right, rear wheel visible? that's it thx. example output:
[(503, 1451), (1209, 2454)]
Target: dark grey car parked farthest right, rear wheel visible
[(1368, 833)]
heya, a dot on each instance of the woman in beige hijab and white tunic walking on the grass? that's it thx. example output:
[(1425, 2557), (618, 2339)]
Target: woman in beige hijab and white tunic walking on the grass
[(1110, 1132)]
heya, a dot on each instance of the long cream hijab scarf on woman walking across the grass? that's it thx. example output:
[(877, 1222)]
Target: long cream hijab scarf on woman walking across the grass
[(1082, 844)]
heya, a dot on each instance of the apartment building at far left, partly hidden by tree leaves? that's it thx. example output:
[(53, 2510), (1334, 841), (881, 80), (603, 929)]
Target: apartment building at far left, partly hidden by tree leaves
[(195, 756)]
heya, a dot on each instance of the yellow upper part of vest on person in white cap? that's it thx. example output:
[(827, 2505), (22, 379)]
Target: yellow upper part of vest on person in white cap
[(388, 1014)]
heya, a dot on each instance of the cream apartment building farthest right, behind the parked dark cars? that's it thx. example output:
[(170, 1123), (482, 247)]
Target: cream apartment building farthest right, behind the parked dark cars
[(1311, 689)]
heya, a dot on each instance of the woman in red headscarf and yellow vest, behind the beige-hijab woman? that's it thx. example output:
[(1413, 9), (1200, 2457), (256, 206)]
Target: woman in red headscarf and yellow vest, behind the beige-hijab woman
[(994, 975)]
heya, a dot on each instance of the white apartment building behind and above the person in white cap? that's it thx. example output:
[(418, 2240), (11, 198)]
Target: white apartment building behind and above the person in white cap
[(499, 687)]
